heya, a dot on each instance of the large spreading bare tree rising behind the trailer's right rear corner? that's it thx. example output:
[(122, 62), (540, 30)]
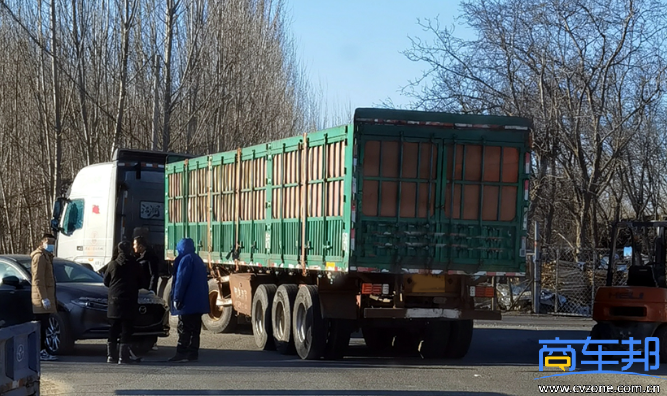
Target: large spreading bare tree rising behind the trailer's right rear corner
[(587, 72)]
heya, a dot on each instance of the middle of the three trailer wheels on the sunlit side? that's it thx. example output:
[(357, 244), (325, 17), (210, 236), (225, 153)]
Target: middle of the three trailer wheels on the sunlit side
[(281, 318)]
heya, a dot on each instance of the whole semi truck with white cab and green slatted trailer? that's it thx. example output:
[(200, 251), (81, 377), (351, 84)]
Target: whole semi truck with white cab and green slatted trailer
[(393, 225)]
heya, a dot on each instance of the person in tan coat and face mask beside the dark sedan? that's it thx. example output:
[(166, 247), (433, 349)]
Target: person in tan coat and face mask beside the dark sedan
[(44, 288)]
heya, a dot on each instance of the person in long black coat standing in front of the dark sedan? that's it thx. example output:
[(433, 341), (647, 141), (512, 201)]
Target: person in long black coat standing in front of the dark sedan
[(122, 277)]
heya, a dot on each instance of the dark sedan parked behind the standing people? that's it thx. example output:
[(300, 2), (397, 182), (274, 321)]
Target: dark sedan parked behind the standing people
[(82, 305)]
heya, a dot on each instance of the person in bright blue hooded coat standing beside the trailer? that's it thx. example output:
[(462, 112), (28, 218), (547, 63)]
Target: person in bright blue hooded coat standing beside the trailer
[(188, 299)]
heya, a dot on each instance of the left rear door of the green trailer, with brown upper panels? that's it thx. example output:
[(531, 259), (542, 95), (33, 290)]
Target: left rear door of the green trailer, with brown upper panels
[(399, 207)]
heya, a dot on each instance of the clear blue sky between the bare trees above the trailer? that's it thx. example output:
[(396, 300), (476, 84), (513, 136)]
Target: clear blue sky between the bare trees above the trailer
[(351, 49)]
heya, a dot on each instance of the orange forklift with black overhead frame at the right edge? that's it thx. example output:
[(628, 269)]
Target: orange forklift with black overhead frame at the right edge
[(638, 309)]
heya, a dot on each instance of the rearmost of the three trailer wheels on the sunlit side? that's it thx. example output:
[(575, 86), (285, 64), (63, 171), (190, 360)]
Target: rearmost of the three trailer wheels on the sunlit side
[(308, 325)]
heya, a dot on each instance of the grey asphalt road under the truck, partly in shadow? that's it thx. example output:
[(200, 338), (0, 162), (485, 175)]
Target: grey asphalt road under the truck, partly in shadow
[(503, 360)]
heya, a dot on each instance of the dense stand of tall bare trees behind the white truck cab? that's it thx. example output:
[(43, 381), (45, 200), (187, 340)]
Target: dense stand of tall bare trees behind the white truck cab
[(82, 78)]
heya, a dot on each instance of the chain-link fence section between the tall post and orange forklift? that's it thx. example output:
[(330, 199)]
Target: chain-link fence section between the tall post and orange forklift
[(570, 278)]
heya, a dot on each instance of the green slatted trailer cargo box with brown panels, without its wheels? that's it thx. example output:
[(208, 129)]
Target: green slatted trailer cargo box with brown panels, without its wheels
[(442, 192)]
